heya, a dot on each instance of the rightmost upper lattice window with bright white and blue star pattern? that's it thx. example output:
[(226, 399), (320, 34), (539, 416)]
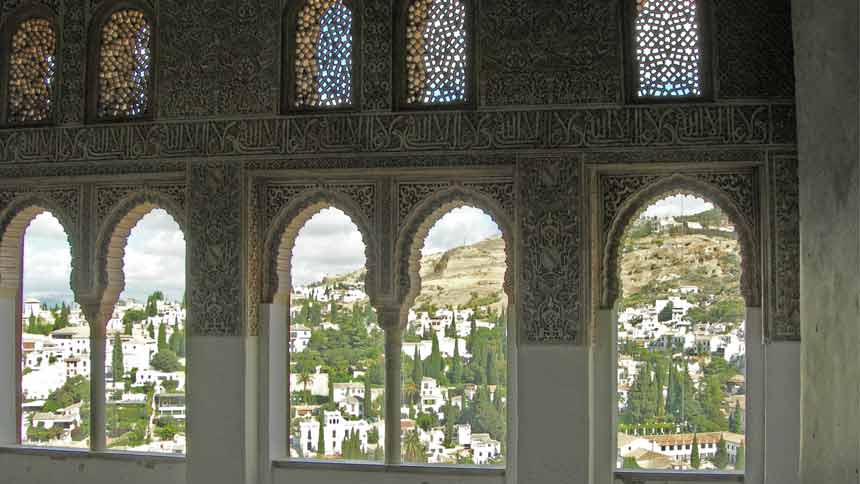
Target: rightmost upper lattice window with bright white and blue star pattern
[(669, 55)]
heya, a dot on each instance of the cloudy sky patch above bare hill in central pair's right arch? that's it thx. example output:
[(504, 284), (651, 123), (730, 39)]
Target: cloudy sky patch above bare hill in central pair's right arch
[(461, 226)]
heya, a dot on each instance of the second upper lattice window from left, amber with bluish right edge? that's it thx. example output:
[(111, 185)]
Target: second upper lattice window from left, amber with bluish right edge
[(122, 78)]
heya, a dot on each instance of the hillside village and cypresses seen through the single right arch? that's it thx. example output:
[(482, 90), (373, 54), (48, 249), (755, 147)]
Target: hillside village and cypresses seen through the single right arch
[(701, 358)]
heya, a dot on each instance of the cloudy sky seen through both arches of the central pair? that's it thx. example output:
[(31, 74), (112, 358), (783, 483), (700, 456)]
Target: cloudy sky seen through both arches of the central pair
[(316, 256)]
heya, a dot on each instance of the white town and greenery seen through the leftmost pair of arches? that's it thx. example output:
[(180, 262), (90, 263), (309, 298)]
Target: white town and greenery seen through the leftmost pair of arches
[(145, 376)]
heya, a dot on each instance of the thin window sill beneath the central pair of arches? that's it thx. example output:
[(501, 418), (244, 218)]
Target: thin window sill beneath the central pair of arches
[(463, 470)]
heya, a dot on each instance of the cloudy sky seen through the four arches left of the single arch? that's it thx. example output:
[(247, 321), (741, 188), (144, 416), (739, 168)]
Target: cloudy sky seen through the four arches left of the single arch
[(328, 244)]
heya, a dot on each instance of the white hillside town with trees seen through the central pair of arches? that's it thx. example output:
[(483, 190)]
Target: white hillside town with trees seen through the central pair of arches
[(454, 378)]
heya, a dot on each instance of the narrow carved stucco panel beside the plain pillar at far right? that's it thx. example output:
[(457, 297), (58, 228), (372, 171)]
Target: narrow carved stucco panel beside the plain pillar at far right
[(785, 250)]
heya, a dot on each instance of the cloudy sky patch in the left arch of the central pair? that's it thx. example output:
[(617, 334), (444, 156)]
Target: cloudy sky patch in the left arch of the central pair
[(328, 244)]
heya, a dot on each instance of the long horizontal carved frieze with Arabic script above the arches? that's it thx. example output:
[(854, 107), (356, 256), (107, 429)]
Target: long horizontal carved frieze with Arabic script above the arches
[(593, 128)]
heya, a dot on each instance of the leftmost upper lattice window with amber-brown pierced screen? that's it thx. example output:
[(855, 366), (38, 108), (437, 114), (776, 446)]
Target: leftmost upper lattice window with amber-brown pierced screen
[(32, 70)]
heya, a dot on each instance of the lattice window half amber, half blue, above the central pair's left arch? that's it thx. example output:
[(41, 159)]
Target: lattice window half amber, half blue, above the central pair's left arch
[(321, 40)]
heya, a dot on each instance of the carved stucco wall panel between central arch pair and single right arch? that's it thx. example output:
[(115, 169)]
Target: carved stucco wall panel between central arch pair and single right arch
[(550, 260)]
